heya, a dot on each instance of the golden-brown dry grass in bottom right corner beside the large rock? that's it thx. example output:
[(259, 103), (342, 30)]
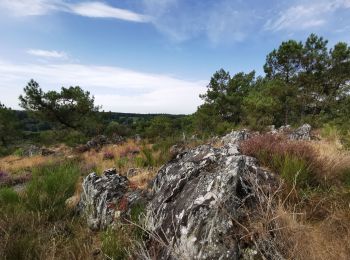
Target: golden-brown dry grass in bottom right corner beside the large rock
[(281, 227)]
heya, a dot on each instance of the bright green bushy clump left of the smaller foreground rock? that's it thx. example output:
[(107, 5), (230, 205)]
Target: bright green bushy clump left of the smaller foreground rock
[(50, 186)]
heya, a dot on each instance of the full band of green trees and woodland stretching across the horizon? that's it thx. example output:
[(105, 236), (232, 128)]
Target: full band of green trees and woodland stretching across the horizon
[(303, 82)]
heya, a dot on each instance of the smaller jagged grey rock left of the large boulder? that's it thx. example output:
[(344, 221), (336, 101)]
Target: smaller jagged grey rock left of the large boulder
[(101, 196)]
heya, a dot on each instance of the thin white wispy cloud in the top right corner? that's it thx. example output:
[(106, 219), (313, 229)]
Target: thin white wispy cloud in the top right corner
[(307, 15)]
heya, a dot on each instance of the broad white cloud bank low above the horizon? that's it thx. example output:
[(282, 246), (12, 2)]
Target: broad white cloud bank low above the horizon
[(114, 88)]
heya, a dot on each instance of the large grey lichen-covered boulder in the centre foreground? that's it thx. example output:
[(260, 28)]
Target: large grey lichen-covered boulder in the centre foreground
[(196, 197)]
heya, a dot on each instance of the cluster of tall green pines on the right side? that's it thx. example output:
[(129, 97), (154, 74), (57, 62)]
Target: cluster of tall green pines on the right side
[(304, 82)]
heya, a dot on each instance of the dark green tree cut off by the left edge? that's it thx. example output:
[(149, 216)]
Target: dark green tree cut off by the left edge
[(9, 126)]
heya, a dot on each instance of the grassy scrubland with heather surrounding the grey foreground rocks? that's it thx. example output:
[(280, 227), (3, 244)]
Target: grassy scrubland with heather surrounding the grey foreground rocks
[(308, 215)]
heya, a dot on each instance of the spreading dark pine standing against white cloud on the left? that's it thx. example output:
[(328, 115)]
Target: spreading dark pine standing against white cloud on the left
[(71, 108)]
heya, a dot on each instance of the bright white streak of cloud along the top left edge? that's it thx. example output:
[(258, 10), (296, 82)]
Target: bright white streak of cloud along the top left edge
[(92, 9)]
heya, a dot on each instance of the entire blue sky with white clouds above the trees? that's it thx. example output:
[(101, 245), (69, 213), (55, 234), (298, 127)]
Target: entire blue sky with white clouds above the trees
[(150, 56)]
